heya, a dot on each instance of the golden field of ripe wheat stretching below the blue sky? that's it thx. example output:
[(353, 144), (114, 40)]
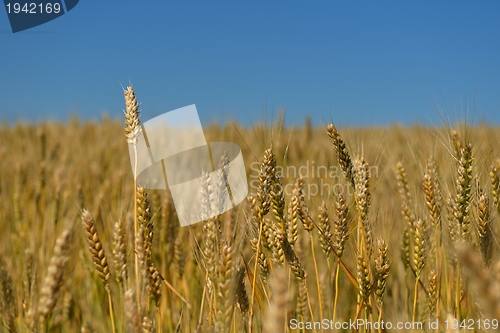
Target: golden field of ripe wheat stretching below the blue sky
[(382, 225)]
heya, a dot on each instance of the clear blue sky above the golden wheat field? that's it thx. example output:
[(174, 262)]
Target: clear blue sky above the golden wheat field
[(356, 62)]
